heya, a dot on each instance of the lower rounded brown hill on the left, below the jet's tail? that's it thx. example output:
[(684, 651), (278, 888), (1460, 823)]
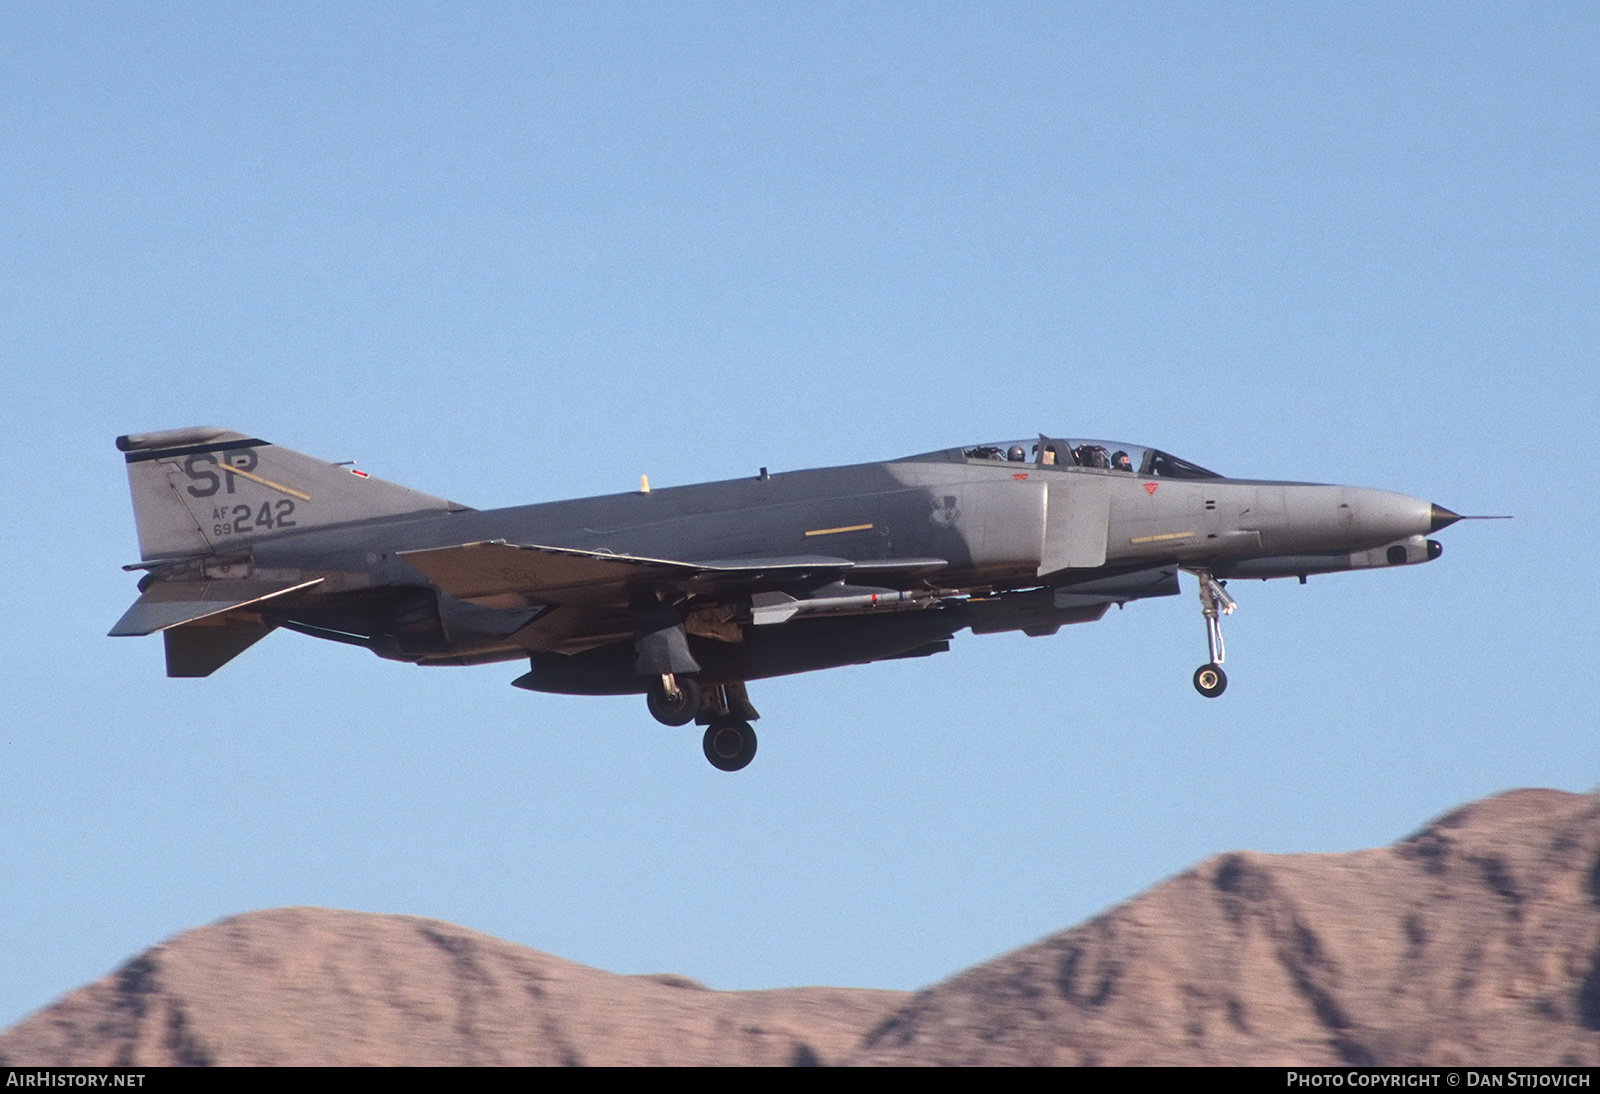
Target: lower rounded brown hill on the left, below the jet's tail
[(314, 986)]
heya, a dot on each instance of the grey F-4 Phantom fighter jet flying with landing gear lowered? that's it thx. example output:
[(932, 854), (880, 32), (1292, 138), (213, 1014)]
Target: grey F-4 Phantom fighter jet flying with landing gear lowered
[(687, 594)]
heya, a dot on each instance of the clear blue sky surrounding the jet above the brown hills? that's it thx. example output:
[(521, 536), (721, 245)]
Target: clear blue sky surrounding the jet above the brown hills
[(514, 254)]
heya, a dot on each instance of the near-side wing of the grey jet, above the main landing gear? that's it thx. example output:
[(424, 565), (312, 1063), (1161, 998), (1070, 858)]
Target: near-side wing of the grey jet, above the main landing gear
[(562, 575)]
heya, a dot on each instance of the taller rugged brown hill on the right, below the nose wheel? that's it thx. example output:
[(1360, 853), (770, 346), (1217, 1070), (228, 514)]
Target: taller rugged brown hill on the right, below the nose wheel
[(1474, 941)]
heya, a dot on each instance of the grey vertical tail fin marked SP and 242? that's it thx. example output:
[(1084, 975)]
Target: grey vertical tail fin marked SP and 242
[(199, 492)]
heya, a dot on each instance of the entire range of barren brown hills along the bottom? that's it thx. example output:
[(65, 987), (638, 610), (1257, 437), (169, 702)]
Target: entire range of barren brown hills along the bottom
[(1476, 941)]
